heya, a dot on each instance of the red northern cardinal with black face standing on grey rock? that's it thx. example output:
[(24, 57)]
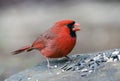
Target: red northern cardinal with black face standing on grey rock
[(56, 42)]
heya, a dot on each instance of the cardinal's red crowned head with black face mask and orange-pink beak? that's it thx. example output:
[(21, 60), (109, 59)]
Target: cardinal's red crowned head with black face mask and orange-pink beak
[(70, 24)]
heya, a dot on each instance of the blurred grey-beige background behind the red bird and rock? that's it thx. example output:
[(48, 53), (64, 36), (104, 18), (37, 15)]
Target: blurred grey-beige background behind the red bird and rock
[(22, 21)]
